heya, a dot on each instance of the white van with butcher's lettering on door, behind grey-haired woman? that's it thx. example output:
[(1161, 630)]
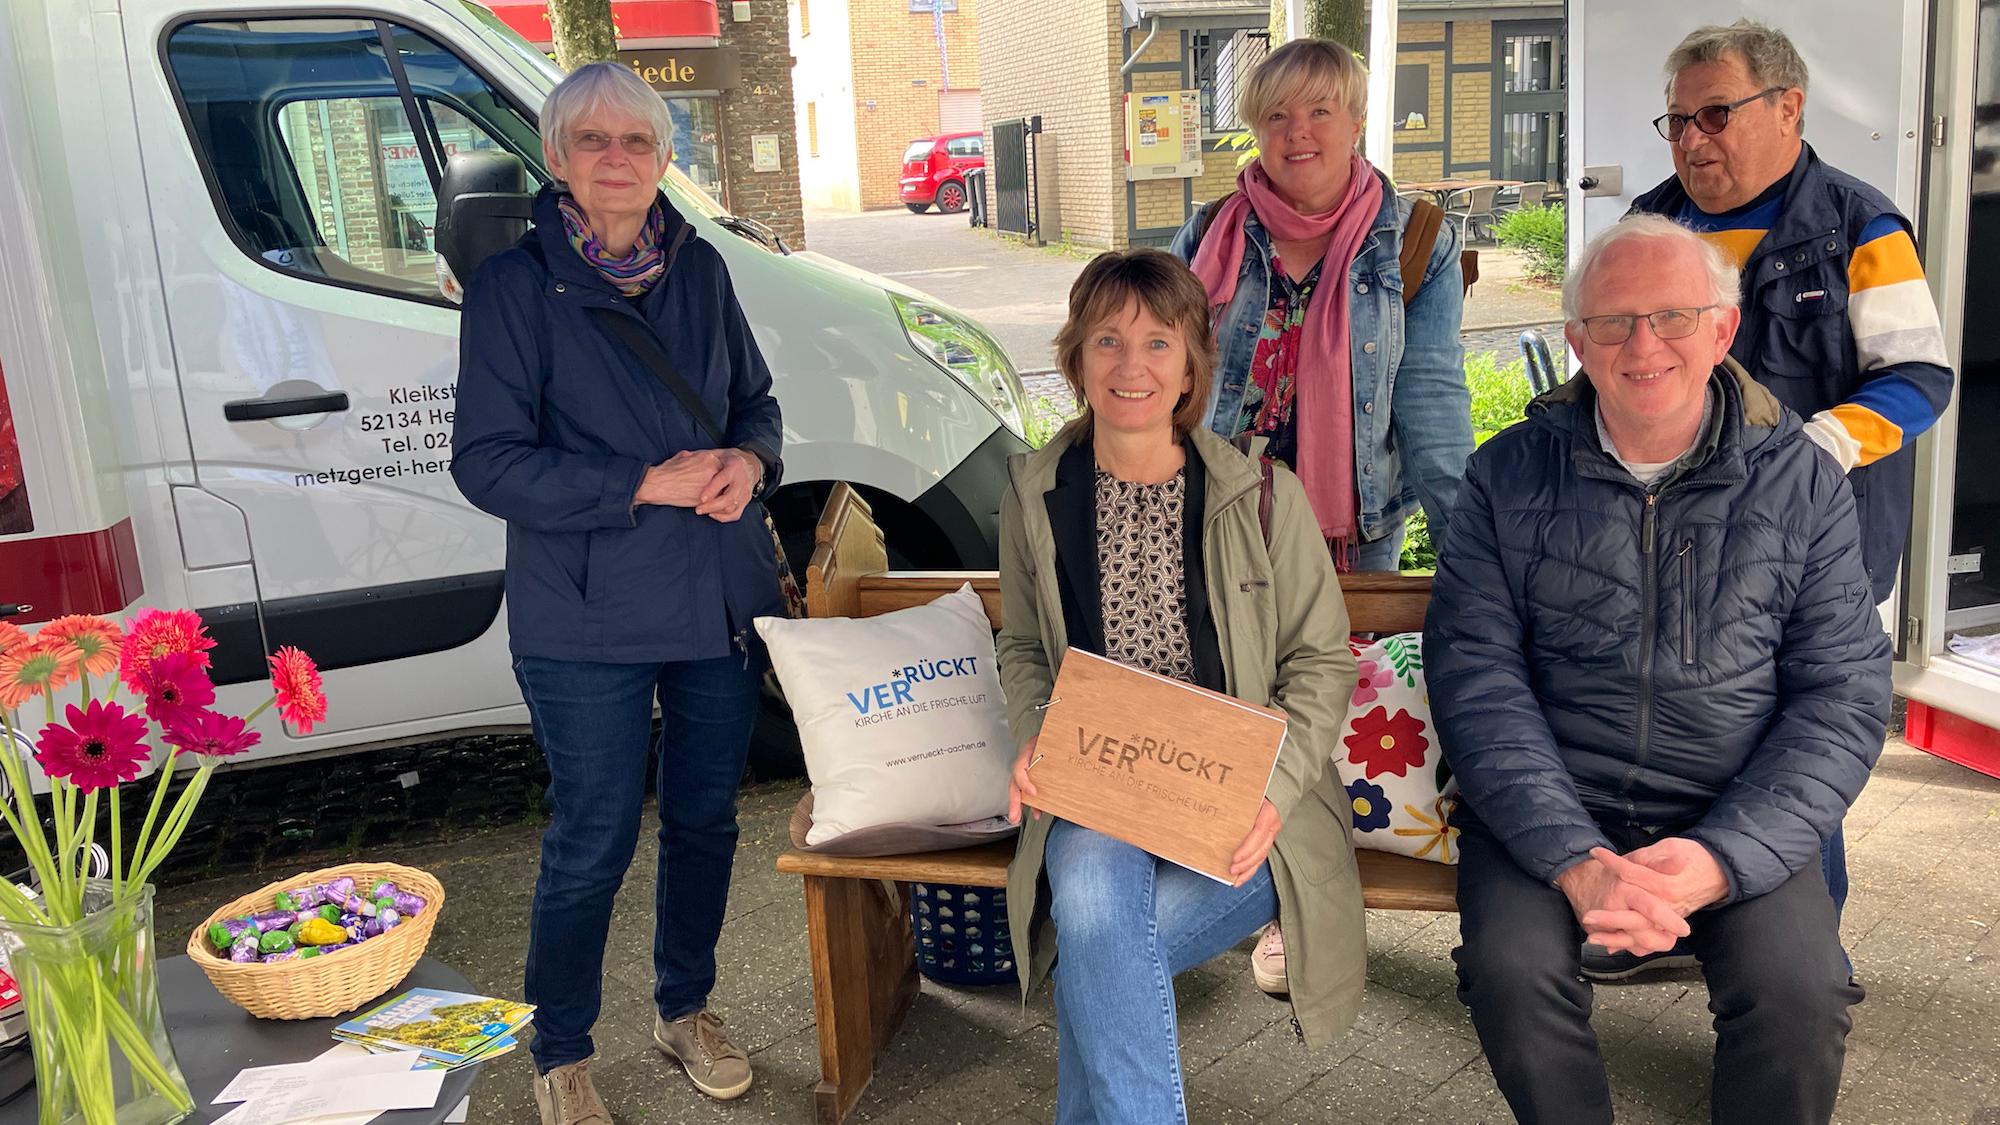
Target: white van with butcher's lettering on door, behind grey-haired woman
[(227, 371)]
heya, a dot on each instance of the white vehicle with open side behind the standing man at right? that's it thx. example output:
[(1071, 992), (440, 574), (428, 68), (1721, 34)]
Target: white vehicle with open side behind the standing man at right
[(1907, 97)]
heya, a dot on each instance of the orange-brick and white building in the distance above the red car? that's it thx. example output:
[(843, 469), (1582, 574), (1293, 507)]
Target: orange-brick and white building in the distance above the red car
[(871, 77)]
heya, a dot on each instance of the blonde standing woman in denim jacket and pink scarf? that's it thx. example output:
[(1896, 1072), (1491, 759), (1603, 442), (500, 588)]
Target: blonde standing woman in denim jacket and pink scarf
[(1359, 395)]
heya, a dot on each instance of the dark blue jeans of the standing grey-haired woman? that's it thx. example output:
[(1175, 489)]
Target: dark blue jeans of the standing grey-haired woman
[(595, 724)]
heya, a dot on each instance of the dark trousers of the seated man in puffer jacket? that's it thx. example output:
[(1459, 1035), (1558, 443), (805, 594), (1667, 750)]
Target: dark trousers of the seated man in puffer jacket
[(1777, 986)]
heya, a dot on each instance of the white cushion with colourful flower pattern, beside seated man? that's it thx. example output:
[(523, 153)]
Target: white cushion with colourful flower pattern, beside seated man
[(1389, 756)]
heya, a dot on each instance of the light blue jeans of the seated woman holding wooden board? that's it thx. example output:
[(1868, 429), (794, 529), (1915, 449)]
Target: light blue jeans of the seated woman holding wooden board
[(1127, 924)]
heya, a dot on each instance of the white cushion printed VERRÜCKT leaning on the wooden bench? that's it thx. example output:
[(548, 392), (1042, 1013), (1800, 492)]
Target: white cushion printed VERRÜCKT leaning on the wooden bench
[(901, 716)]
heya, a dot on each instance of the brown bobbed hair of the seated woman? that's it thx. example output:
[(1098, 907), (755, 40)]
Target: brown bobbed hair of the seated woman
[(1167, 289)]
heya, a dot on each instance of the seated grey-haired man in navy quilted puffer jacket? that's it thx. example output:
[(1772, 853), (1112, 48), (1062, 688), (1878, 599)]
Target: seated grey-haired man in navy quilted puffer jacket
[(1659, 676)]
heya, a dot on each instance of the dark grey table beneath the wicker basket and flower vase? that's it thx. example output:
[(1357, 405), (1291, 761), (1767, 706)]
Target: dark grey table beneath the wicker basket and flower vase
[(215, 1040)]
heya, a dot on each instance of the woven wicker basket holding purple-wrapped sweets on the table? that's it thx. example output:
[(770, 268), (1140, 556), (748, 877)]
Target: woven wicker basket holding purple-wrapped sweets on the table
[(323, 986)]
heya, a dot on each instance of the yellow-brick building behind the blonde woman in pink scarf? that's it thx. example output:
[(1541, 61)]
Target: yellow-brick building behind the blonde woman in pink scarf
[(1067, 61)]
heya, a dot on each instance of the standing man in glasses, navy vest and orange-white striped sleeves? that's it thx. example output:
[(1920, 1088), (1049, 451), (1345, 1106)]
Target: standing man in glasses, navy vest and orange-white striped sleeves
[(1837, 319)]
